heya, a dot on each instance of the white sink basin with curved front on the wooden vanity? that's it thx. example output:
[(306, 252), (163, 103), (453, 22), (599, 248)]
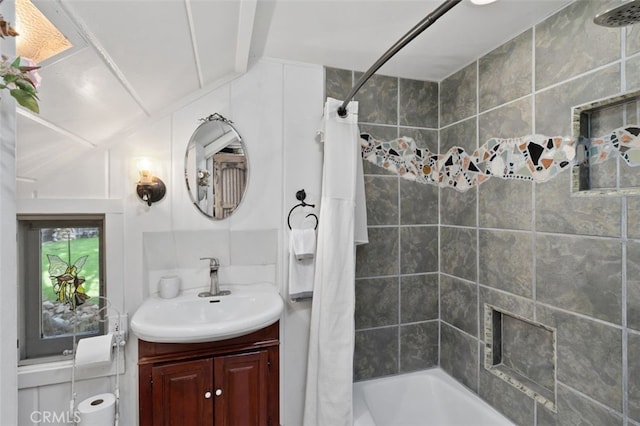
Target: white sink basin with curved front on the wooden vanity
[(190, 319)]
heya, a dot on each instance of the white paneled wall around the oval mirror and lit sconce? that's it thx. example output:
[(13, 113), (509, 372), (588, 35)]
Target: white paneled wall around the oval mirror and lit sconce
[(276, 107)]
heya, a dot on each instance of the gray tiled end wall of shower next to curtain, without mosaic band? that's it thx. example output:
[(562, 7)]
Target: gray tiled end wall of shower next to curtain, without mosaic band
[(397, 300)]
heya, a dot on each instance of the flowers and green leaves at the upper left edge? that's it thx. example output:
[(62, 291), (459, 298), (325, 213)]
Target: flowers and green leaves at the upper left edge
[(21, 80)]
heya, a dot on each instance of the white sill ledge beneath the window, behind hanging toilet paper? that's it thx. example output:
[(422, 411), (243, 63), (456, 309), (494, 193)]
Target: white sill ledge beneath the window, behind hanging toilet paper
[(50, 373)]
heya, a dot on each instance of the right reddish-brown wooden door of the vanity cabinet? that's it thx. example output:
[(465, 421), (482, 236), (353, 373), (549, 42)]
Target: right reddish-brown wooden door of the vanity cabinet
[(241, 389)]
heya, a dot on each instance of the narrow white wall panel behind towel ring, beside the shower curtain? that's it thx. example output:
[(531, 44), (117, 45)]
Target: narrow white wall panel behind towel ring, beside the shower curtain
[(302, 170)]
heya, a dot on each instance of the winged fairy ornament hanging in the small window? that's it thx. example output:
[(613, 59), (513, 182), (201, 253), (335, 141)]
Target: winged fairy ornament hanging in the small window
[(67, 285)]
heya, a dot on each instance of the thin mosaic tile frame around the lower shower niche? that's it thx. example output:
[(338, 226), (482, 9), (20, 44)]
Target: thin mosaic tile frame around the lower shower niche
[(502, 374)]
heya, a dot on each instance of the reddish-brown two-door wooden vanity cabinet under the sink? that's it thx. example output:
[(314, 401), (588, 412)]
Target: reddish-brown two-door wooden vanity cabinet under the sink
[(233, 382)]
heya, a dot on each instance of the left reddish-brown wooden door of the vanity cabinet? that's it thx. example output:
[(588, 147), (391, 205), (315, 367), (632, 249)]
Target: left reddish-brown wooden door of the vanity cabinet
[(182, 393)]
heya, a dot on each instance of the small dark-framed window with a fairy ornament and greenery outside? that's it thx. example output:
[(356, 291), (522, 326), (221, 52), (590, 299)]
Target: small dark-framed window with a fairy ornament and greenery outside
[(61, 276)]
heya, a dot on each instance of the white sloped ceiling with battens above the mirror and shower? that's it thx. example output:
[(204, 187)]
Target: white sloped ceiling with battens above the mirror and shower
[(135, 60)]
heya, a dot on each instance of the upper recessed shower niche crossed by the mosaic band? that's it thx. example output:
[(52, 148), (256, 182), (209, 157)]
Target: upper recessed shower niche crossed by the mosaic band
[(607, 151)]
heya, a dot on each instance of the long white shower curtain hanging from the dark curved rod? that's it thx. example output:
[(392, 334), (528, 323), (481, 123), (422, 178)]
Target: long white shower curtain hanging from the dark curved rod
[(342, 224)]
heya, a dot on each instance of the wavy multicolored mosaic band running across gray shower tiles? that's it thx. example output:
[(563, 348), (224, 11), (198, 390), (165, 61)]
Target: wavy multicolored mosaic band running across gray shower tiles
[(535, 158)]
